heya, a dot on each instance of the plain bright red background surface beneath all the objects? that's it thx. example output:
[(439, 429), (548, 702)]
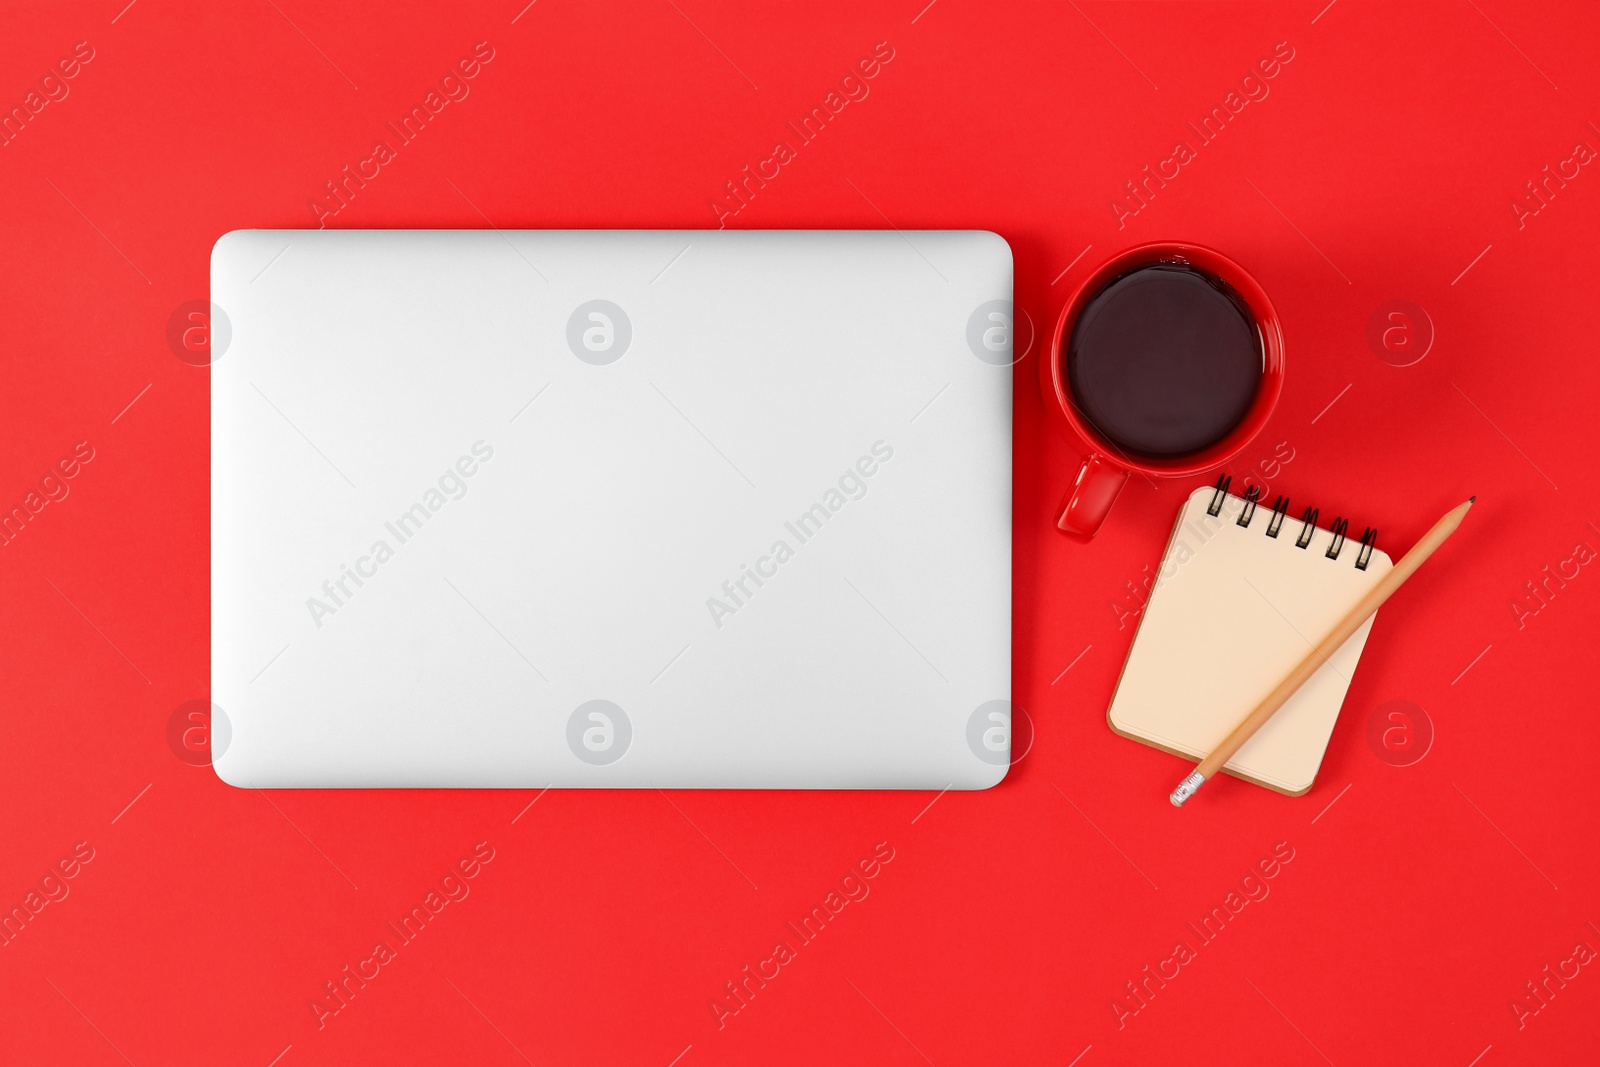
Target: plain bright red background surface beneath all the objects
[(1382, 167)]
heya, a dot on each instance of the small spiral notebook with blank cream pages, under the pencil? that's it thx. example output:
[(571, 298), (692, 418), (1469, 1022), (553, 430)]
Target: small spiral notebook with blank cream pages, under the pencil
[(1244, 593)]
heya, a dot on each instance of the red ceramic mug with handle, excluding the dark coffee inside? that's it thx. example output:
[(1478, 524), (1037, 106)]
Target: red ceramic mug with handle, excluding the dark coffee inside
[(1108, 468)]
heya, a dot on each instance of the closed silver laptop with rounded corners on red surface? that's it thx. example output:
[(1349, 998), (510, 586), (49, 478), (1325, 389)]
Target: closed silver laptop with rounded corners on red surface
[(620, 510)]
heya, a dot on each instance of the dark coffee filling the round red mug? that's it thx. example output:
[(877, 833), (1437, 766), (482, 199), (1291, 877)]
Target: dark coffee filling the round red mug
[(1166, 361)]
